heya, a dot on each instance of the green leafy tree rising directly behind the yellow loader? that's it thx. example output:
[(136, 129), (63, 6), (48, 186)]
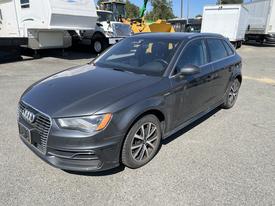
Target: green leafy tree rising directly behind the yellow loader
[(162, 9)]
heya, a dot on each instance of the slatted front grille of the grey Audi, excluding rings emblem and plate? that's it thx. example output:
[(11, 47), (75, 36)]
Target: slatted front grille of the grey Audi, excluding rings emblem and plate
[(42, 125)]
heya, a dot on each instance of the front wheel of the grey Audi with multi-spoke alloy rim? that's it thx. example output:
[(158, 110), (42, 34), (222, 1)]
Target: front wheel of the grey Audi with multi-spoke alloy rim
[(140, 147)]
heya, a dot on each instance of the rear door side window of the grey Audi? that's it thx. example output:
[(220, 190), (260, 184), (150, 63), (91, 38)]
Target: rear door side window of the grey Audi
[(216, 49)]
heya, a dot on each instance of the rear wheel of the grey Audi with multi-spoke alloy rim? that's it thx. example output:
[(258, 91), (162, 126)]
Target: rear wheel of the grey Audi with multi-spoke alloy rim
[(232, 94)]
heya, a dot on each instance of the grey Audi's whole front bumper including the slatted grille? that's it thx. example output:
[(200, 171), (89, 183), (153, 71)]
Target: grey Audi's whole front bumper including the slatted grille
[(69, 149)]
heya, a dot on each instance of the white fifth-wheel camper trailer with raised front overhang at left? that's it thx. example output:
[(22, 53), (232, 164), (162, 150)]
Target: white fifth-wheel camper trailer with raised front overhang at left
[(45, 22)]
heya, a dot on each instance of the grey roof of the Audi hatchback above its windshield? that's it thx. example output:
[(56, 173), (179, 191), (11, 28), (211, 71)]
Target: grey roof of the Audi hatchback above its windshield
[(176, 35)]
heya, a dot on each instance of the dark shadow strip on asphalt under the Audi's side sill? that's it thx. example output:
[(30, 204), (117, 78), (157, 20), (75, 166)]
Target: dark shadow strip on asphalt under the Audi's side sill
[(189, 127)]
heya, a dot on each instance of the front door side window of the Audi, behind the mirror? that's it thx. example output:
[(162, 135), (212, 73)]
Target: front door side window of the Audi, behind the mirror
[(193, 54)]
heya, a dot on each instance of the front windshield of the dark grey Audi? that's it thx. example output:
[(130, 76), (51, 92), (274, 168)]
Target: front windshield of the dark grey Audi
[(149, 56)]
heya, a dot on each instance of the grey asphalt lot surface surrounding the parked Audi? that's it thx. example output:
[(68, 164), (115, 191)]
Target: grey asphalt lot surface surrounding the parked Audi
[(226, 158)]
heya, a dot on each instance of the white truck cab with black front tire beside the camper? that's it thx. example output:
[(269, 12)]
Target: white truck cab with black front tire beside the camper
[(108, 31)]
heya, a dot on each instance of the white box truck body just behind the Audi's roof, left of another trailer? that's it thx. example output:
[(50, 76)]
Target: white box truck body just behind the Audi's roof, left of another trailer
[(227, 20)]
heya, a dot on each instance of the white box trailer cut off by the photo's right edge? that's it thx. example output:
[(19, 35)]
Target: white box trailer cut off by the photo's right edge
[(261, 21)]
